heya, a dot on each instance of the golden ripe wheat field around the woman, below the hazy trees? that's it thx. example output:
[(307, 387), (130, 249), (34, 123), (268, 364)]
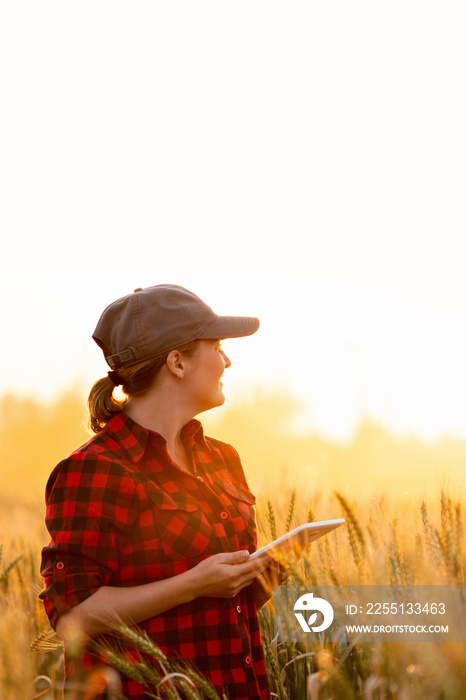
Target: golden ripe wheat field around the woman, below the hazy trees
[(382, 544)]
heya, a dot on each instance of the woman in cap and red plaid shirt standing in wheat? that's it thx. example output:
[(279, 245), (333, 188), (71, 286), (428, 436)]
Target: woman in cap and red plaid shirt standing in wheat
[(151, 522)]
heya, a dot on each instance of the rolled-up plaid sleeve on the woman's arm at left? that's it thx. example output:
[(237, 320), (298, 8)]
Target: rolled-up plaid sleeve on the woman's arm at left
[(90, 504)]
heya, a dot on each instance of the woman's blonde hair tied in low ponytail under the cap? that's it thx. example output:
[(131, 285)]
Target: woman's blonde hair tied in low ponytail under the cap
[(136, 380)]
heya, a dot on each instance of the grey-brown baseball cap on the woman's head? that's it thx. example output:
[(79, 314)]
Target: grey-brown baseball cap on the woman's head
[(152, 321)]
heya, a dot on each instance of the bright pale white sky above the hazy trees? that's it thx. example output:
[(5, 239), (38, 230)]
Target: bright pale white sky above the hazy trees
[(300, 162)]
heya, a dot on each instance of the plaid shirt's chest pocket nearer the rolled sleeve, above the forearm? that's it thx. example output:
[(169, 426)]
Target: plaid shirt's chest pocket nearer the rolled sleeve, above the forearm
[(182, 528)]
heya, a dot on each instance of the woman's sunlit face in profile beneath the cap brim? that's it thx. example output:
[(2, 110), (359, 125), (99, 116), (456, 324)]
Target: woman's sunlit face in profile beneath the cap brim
[(204, 372)]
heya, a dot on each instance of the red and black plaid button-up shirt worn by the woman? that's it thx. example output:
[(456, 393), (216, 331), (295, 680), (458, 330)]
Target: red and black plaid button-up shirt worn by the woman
[(121, 513)]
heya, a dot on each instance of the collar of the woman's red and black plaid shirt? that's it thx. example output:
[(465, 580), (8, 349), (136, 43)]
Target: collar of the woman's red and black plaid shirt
[(134, 438)]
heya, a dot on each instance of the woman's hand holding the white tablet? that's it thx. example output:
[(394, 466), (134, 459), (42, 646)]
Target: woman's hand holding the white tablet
[(225, 575)]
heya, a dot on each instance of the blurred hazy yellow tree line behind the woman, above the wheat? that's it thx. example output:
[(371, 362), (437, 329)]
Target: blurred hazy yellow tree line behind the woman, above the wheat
[(34, 436)]
